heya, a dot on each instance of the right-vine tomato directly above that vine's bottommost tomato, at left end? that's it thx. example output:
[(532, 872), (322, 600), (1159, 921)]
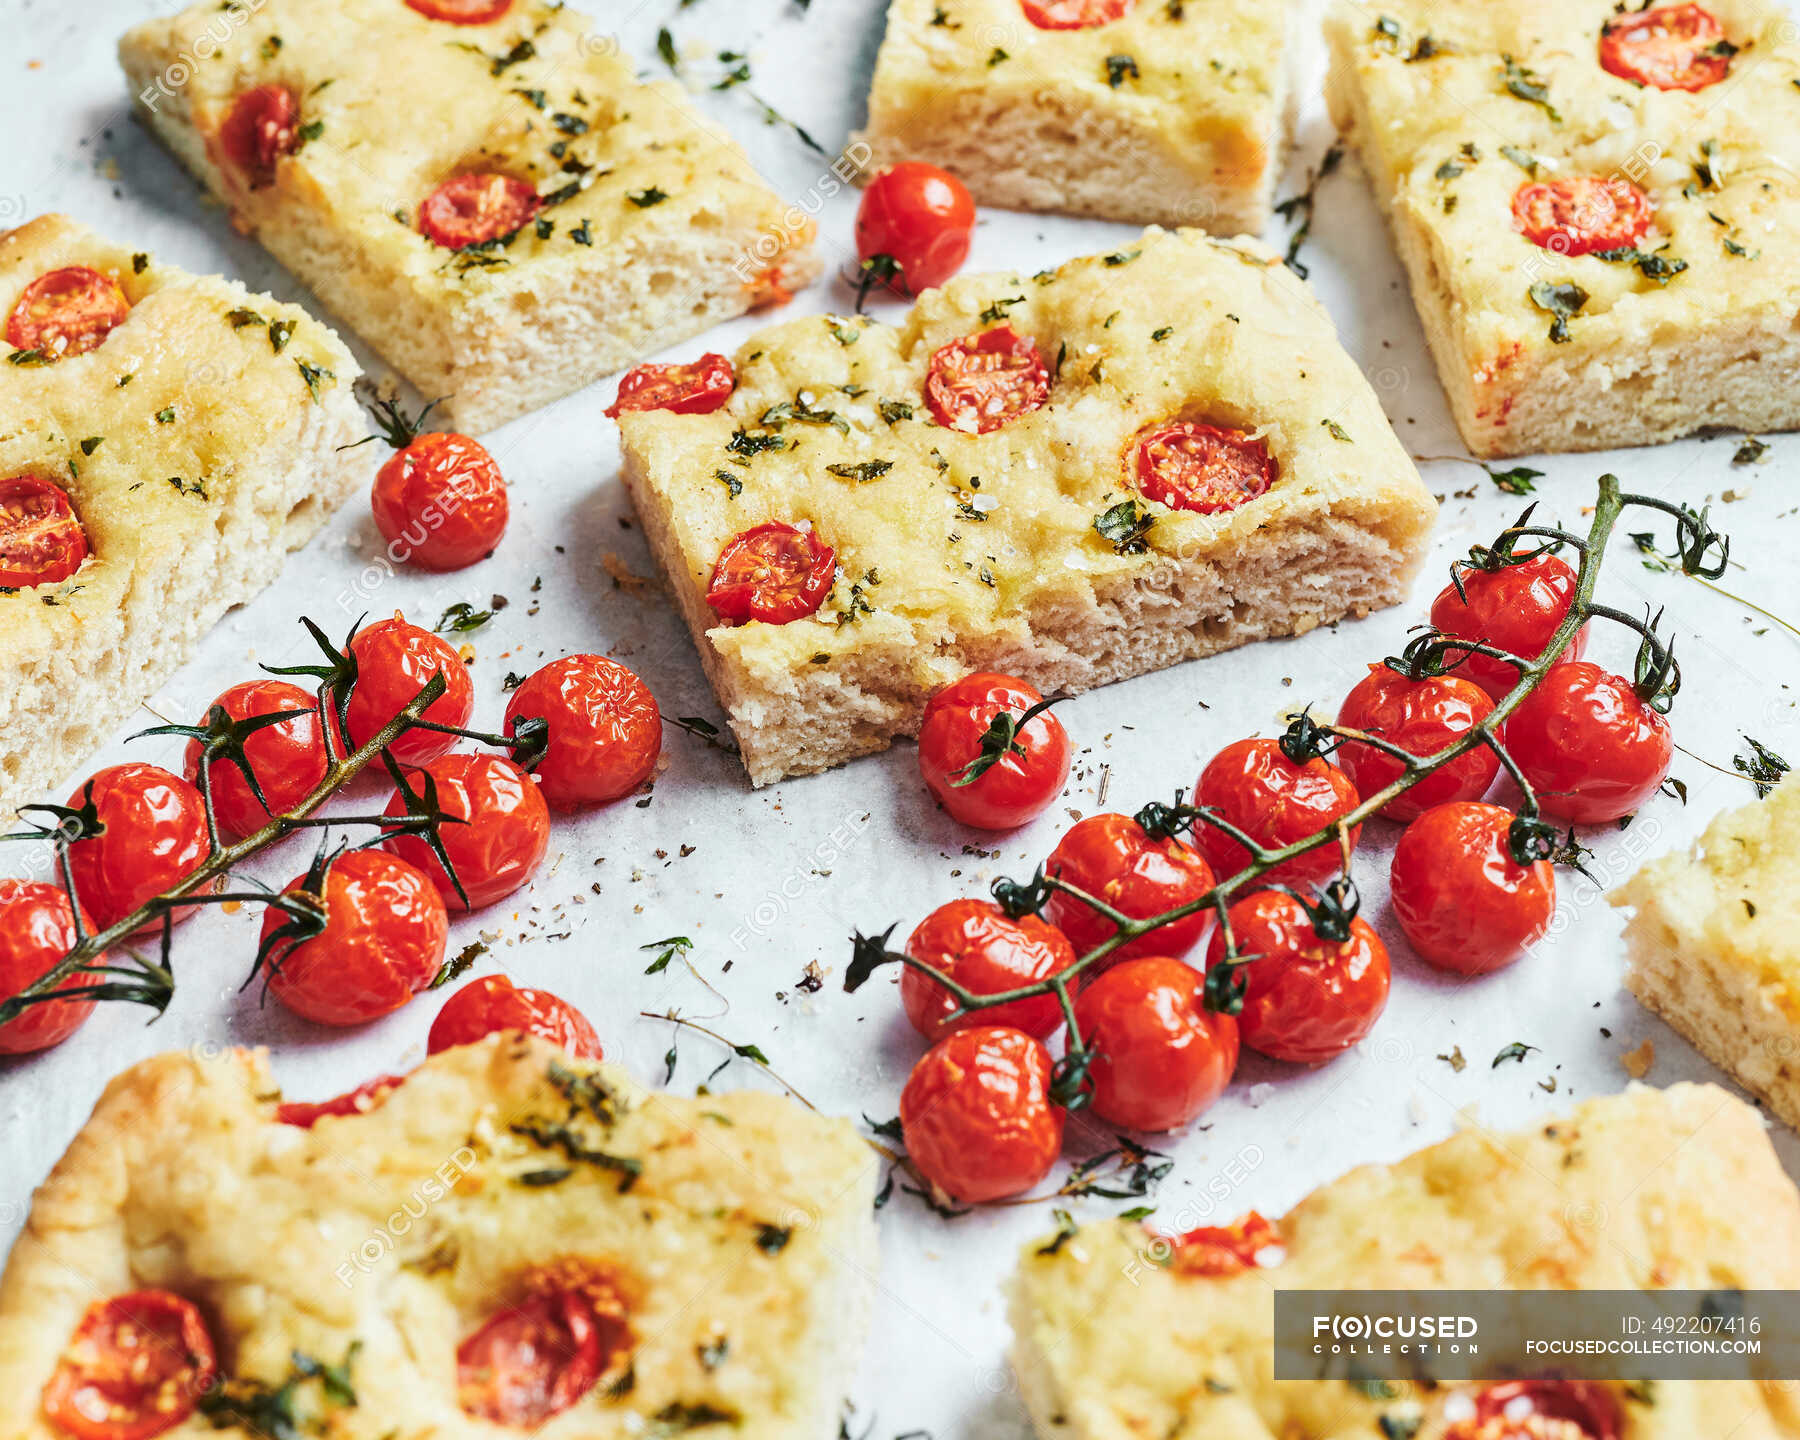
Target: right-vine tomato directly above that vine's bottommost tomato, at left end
[(978, 946)]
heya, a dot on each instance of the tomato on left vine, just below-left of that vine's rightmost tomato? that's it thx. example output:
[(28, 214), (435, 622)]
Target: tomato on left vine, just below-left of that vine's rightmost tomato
[(507, 832)]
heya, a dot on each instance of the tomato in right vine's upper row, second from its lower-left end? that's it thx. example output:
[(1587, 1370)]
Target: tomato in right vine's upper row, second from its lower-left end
[(1117, 861)]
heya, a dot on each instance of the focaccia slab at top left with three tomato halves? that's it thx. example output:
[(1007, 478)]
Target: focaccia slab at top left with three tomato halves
[(480, 188)]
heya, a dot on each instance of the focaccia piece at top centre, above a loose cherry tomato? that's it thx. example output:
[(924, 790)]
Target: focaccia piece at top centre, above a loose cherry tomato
[(1169, 112)]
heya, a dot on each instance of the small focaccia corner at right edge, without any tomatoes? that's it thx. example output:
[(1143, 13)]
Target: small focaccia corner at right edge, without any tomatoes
[(1714, 944)]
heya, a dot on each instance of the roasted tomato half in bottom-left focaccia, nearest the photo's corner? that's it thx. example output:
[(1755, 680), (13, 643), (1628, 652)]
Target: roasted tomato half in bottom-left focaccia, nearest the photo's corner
[(136, 1367)]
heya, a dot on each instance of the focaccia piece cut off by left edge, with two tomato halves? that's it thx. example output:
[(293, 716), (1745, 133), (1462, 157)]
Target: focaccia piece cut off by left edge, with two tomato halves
[(165, 442)]
